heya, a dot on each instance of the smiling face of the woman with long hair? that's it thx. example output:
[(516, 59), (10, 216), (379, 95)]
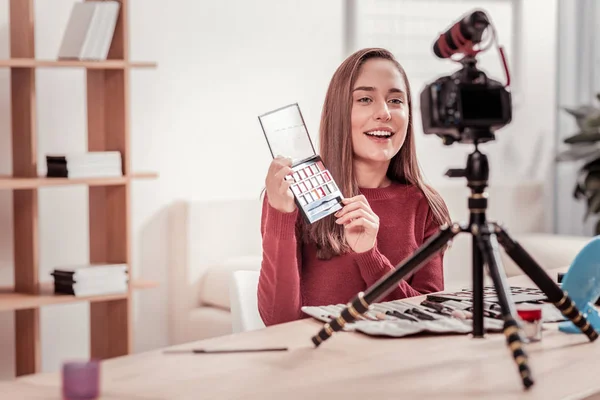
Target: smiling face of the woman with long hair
[(379, 112)]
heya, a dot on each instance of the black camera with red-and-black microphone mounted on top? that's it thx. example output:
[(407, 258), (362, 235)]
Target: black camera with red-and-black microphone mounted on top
[(467, 106)]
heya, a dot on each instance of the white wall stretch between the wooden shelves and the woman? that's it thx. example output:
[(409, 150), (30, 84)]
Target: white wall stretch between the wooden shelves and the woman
[(221, 64)]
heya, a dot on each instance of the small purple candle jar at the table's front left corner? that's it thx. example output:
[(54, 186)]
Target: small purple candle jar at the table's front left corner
[(81, 380)]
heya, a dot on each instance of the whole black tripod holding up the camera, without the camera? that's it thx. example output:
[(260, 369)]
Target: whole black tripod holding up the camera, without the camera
[(486, 240)]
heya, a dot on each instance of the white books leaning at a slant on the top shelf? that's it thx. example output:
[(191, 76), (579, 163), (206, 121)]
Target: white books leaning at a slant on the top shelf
[(89, 31)]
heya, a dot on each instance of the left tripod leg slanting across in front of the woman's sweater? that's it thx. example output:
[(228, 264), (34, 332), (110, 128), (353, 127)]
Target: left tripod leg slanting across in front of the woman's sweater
[(361, 303)]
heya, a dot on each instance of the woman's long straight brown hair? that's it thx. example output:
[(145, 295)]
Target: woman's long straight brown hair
[(335, 147)]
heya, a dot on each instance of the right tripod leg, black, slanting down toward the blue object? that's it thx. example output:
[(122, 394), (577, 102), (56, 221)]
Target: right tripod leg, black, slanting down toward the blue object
[(537, 274)]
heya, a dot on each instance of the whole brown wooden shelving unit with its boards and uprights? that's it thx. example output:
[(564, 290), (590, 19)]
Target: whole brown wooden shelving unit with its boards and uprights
[(109, 198)]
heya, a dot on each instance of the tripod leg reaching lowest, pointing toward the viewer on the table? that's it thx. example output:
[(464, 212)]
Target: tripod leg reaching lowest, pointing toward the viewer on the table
[(491, 255)]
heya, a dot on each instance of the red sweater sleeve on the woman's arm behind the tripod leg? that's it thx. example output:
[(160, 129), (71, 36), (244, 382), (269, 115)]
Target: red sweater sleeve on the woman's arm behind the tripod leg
[(429, 278)]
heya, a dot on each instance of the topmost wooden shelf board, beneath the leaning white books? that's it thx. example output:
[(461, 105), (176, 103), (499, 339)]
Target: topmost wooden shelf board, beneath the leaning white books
[(108, 64)]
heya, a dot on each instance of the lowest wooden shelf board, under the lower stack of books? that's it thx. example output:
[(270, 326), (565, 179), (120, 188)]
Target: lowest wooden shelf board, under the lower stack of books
[(9, 300)]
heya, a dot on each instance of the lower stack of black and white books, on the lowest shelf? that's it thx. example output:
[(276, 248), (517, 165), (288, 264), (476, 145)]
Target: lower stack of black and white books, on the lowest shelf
[(91, 280)]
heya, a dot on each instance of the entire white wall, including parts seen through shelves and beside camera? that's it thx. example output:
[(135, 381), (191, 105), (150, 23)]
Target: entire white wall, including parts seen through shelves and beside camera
[(194, 122)]
